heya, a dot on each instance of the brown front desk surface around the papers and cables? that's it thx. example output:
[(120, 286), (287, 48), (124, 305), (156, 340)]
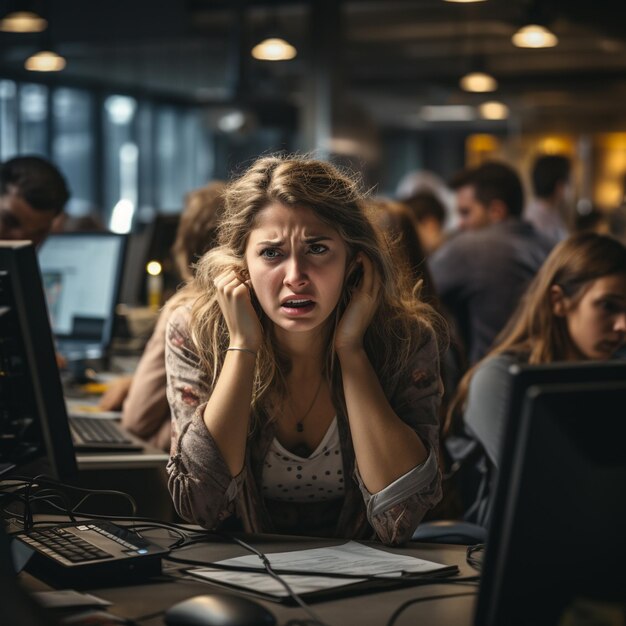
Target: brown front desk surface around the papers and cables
[(374, 609)]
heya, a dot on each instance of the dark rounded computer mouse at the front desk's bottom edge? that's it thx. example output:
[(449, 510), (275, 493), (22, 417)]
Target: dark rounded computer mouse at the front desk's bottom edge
[(219, 609)]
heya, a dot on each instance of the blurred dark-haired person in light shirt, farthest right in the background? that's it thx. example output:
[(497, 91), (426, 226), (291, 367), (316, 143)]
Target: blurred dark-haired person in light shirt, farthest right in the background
[(550, 212)]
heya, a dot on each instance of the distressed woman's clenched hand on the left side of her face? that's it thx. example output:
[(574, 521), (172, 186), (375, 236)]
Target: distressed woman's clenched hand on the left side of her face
[(233, 296)]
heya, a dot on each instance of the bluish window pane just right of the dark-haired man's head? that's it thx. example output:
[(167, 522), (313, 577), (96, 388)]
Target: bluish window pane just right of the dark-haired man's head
[(74, 147)]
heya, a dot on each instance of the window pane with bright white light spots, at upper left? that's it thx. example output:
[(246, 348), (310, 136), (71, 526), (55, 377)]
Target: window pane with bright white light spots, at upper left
[(121, 161)]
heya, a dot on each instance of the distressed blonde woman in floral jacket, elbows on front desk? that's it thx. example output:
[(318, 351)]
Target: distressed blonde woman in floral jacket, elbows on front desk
[(304, 379)]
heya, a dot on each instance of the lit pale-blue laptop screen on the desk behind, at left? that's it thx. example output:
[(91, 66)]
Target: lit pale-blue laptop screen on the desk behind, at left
[(81, 274)]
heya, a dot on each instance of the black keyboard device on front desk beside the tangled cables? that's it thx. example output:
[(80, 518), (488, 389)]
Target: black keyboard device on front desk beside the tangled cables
[(98, 550)]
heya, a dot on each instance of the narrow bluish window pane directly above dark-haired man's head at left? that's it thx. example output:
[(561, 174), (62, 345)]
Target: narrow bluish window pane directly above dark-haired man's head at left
[(33, 116)]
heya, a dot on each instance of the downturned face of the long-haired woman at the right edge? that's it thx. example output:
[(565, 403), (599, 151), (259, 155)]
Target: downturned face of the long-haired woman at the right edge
[(597, 322)]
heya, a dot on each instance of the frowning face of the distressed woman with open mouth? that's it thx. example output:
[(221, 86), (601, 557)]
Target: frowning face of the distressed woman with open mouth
[(297, 266)]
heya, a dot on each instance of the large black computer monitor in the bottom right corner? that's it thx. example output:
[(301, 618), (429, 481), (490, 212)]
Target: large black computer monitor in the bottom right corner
[(557, 533)]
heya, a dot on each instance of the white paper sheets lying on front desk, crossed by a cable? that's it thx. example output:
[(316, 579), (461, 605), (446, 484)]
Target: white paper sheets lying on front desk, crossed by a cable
[(349, 558)]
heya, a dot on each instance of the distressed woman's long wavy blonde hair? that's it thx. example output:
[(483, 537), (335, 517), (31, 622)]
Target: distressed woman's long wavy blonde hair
[(400, 322)]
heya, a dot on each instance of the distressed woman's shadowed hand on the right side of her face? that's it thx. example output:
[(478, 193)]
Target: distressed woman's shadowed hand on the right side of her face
[(361, 308)]
